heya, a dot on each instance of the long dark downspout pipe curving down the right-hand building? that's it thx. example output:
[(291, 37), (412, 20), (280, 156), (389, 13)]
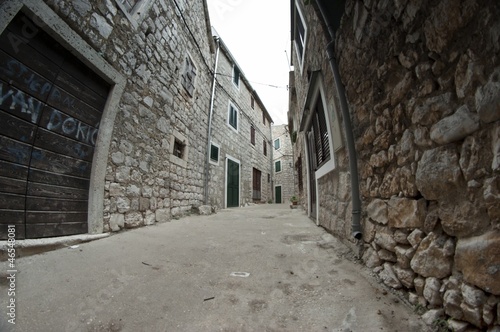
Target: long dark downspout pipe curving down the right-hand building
[(351, 147)]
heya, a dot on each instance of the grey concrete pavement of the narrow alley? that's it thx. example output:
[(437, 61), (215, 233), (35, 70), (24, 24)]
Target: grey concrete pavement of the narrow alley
[(258, 268)]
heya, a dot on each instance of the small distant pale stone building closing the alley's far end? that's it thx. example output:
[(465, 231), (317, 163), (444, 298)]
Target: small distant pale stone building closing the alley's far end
[(283, 165)]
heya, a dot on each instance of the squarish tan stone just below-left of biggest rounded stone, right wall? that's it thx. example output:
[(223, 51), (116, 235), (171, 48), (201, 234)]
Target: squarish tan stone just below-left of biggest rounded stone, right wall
[(406, 213)]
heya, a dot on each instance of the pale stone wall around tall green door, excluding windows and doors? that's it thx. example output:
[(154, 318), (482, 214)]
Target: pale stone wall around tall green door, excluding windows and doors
[(237, 144)]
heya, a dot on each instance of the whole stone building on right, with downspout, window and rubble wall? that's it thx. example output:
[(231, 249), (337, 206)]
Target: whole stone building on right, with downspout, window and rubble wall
[(395, 105)]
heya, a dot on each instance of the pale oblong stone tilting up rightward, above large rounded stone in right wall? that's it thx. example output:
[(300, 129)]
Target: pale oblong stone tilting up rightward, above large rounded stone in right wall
[(455, 127)]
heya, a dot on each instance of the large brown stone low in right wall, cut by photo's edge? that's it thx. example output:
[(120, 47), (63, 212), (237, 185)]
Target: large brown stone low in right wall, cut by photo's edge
[(479, 260)]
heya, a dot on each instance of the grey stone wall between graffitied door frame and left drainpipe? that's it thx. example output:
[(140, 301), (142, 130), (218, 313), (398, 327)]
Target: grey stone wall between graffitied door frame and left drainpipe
[(145, 183)]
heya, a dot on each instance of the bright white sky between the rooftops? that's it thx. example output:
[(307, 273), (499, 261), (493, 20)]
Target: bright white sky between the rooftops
[(257, 33)]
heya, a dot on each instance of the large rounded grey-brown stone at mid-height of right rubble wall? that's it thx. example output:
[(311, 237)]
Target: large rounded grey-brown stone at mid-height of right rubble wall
[(438, 173)]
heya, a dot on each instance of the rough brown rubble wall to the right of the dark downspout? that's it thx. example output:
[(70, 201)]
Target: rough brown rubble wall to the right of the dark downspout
[(423, 82)]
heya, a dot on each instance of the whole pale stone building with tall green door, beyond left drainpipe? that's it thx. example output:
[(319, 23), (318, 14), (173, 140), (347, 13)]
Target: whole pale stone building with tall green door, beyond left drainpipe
[(240, 159)]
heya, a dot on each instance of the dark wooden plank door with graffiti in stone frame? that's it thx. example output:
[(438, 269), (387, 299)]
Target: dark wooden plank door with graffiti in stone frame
[(50, 109)]
